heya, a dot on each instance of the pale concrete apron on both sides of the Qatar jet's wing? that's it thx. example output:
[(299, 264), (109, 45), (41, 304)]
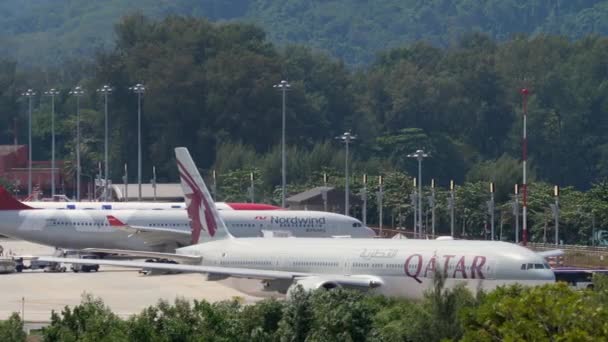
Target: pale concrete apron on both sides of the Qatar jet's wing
[(124, 290)]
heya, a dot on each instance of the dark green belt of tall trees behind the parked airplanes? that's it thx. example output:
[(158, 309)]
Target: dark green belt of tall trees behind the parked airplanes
[(209, 86)]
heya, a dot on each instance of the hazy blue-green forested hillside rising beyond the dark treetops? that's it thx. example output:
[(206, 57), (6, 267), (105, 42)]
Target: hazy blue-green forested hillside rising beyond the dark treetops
[(51, 32)]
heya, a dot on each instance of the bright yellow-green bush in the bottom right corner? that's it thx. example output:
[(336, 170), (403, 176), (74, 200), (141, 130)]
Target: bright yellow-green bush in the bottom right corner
[(542, 313)]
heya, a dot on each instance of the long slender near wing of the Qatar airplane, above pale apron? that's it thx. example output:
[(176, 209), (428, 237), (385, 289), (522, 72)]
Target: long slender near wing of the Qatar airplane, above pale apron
[(356, 281)]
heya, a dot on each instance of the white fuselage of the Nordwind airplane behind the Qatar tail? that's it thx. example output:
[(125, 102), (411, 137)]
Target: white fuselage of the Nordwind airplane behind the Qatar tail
[(77, 229)]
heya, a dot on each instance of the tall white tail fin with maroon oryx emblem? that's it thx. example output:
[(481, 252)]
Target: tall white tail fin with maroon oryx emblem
[(206, 222)]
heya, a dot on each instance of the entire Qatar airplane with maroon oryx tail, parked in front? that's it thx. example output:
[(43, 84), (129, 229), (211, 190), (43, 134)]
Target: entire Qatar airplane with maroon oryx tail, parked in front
[(391, 267)]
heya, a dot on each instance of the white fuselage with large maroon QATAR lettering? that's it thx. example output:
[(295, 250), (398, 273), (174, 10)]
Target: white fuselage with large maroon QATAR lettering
[(406, 267)]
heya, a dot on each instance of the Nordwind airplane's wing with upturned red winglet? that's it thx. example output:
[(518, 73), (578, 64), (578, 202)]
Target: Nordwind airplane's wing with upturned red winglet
[(152, 235)]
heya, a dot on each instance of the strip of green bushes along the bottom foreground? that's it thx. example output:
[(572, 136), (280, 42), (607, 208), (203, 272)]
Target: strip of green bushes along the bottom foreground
[(513, 313)]
